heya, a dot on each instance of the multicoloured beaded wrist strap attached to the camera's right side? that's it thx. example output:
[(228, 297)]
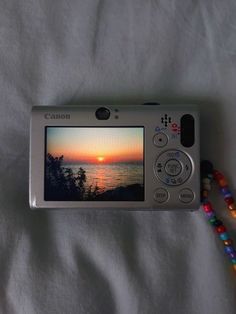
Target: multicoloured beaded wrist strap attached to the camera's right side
[(207, 175)]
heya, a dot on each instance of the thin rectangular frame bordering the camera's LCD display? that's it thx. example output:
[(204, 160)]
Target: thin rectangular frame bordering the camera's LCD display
[(89, 126)]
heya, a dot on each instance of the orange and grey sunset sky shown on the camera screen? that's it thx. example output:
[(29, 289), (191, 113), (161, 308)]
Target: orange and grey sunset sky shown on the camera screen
[(96, 145)]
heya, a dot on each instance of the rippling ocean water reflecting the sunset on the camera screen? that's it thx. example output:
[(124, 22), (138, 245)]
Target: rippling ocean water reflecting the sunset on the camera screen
[(110, 176)]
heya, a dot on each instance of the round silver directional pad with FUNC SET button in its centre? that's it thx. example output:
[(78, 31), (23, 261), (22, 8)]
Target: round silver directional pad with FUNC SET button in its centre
[(173, 167)]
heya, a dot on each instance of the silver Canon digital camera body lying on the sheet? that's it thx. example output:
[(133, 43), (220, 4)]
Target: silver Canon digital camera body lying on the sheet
[(135, 157)]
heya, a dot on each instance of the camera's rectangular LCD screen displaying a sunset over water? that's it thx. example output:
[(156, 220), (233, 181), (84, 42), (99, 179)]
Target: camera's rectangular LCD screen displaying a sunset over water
[(94, 164)]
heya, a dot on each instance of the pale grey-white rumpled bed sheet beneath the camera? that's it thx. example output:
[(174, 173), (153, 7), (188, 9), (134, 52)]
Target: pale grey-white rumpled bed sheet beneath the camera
[(62, 52)]
